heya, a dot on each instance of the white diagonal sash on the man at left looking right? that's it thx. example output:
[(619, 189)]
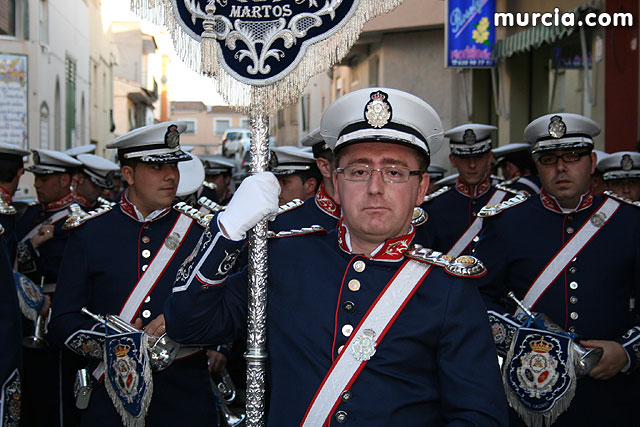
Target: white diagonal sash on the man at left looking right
[(152, 275)]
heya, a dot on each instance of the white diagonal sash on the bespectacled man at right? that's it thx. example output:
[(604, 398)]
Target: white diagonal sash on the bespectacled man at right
[(569, 251)]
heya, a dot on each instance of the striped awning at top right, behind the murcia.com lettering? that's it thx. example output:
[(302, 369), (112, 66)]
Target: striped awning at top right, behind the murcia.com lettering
[(534, 37)]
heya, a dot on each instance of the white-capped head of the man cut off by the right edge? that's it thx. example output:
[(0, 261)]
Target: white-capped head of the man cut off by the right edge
[(621, 174)]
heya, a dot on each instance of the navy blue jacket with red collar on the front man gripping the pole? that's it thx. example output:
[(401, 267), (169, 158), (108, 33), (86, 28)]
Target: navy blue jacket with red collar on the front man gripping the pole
[(435, 366)]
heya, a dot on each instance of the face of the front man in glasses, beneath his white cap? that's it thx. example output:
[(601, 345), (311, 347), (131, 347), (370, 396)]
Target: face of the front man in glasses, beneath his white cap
[(376, 210)]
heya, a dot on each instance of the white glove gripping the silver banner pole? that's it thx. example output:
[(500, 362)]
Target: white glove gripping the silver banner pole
[(256, 199)]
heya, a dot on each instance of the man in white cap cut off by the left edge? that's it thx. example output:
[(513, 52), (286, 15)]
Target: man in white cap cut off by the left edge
[(11, 169)]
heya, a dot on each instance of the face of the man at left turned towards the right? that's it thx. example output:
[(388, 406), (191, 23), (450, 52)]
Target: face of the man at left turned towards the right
[(152, 186)]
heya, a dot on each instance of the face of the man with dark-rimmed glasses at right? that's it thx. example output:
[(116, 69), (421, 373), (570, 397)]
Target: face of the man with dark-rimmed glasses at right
[(567, 181)]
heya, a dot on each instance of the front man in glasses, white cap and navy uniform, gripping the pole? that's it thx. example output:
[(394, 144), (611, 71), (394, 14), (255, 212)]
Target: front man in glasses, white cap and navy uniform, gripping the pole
[(424, 356)]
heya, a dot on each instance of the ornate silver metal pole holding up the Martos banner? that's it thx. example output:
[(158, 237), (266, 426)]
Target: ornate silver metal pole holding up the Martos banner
[(256, 354)]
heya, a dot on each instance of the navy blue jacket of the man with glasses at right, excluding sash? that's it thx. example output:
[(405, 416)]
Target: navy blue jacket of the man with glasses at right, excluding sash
[(590, 297)]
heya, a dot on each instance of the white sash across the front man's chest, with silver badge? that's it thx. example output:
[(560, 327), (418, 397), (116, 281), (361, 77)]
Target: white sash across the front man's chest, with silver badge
[(379, 319)]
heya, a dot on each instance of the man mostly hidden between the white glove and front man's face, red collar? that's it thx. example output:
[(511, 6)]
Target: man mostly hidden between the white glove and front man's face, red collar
[(321, 209)]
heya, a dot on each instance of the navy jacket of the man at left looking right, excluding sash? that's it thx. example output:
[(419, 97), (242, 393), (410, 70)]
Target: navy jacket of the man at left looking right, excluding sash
[(103, 261)]
